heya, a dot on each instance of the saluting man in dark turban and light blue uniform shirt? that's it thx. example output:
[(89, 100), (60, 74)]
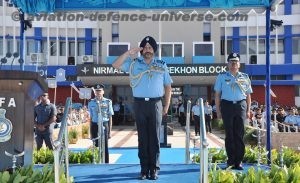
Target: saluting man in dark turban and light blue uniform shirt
[(150, 81)]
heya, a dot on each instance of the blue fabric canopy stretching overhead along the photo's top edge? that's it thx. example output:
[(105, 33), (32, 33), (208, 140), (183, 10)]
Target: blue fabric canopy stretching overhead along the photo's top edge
[(49, 6)]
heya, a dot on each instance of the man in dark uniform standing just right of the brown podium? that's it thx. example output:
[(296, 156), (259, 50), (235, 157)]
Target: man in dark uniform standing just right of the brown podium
[(44, 118)]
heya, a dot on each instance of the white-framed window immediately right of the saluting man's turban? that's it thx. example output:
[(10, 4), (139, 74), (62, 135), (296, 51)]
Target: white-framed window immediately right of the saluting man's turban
[(170, 49)]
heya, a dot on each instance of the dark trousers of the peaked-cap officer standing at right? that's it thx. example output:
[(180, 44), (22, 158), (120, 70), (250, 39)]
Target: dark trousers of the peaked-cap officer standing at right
[(234, 116)]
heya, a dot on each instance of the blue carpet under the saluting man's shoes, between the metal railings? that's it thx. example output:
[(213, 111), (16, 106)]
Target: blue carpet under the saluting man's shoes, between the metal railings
[(128, 173)]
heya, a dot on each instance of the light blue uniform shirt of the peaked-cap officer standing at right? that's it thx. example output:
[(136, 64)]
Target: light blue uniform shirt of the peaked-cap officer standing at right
[(227, 85)]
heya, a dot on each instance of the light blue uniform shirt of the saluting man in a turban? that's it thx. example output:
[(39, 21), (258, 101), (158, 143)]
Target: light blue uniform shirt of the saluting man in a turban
[(150, 85)]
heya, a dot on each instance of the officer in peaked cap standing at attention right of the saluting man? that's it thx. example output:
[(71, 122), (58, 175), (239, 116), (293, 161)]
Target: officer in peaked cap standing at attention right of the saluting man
[(233, 101)]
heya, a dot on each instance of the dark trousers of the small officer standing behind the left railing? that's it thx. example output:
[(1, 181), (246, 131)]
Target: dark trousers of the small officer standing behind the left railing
[(94, 133)]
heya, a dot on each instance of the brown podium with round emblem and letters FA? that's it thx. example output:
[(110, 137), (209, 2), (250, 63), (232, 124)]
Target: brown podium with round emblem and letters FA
[(18, 92)]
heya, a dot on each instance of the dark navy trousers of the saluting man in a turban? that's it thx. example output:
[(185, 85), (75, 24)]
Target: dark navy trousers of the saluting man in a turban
[(148, 117)]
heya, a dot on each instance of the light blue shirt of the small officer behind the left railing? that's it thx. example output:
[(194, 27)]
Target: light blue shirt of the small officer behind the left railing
[(106, 109)]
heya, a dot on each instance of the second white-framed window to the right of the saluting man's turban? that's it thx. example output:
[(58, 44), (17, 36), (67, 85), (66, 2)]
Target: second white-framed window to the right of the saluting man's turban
[(203, 49)]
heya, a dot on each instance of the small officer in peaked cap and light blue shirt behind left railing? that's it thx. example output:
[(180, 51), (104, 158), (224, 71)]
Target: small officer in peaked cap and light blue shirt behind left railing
[(106, 113)]
